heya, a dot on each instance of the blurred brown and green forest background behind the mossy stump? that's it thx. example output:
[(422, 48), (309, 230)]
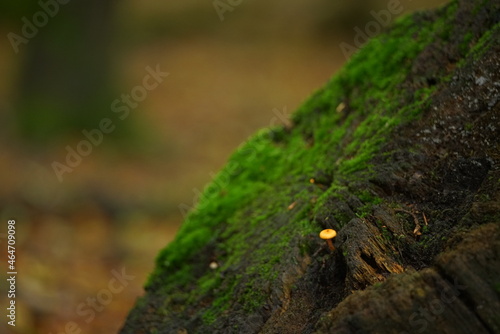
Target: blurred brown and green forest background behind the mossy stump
[(120, 205)]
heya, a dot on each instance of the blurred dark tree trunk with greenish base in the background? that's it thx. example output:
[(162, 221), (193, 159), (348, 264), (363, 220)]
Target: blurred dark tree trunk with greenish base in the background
[(65, 83)]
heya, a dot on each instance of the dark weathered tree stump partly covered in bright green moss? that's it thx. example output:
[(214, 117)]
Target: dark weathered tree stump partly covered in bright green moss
[(398, 153)]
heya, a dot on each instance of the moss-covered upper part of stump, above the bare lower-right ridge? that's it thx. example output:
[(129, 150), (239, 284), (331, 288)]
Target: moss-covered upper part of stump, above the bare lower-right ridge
[(346, 162)]
